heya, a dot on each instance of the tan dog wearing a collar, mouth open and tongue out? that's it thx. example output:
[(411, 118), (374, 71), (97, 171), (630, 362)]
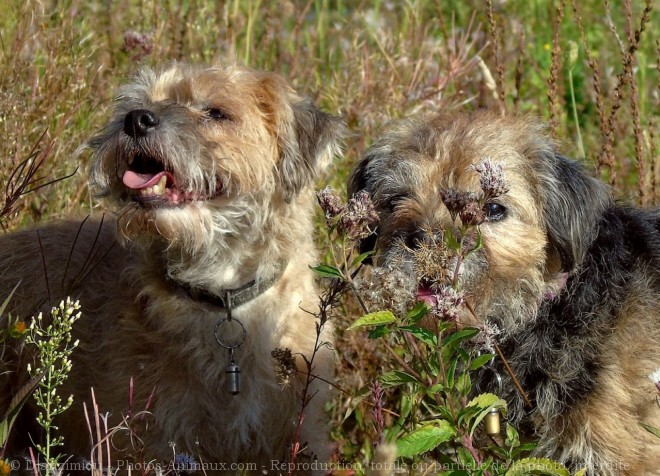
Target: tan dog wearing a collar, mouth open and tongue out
[(203, 273)]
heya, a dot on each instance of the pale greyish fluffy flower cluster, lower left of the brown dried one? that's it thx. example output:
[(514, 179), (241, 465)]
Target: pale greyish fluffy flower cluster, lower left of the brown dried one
[(388, 288)]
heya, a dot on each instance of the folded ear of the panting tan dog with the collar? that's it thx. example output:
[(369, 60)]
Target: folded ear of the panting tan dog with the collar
[(307, 137)]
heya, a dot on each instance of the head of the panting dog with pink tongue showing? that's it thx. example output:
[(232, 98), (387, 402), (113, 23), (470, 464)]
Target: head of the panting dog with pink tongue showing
[(192, 152)]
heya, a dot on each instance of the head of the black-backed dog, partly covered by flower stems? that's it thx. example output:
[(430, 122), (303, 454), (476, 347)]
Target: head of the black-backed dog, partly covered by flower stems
[(534, 231)]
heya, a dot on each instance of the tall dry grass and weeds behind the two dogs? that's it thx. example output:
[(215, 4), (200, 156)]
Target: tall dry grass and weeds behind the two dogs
[(589, 68)]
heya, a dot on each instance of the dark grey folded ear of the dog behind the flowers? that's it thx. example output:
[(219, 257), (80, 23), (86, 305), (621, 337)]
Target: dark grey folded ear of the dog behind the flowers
[(572, 203)]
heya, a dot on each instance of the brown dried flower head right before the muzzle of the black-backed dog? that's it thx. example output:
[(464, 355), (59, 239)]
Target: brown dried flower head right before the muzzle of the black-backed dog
[(431, 259)]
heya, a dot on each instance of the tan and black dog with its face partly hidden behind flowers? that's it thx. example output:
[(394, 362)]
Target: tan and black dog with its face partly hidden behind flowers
[(571, 278)]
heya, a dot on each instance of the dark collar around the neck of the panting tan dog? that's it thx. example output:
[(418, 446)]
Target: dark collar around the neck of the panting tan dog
[(237, 296)]
